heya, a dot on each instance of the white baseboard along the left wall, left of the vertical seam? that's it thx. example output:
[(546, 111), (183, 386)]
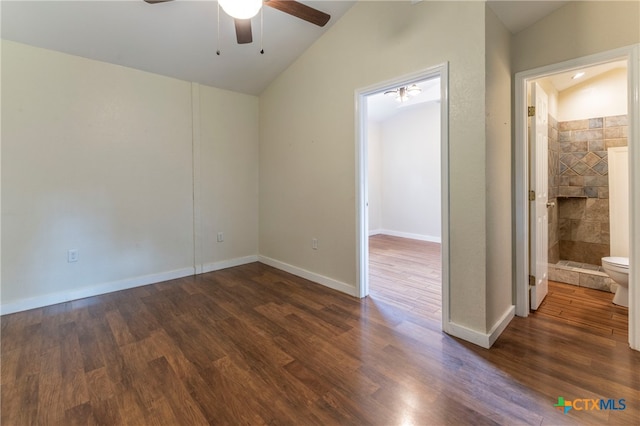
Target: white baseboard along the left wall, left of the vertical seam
[(94, 290)]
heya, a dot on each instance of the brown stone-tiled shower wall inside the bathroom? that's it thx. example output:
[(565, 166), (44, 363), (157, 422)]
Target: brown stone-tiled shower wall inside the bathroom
[(583, 186)]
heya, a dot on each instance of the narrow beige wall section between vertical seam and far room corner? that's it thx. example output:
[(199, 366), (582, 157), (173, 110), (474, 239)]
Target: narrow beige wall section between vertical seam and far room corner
[(229, 175)]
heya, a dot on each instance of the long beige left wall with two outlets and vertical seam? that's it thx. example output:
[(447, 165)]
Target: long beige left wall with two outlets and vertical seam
[(99, 158)]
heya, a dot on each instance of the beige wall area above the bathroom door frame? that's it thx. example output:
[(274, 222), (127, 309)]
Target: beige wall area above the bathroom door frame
[(579, 28)]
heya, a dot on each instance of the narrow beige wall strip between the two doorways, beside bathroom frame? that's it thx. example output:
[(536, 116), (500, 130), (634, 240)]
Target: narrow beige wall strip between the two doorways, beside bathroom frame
[(498, 170)]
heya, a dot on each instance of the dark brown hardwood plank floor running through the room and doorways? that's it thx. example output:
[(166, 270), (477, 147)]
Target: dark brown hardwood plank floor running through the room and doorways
[(254, 345)]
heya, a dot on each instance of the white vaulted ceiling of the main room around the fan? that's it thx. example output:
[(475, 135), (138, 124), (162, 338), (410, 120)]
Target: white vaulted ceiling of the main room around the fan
[(179, 38)]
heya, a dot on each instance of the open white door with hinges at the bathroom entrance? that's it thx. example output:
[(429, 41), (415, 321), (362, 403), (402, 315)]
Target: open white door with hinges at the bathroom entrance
[(539, 177)]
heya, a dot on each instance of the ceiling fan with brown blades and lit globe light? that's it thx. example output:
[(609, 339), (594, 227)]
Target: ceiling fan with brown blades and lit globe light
[(243, 10)]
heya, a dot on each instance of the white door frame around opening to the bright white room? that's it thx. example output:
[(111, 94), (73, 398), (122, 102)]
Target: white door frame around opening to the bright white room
[(362, 220)]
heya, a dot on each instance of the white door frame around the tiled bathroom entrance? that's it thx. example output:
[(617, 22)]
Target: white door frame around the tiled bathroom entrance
[(632, 55)]
